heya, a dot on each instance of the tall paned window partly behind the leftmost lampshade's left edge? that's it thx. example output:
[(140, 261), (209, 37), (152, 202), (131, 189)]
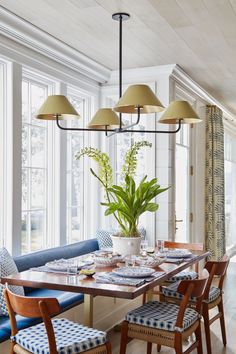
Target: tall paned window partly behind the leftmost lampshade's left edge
[(34, 167)]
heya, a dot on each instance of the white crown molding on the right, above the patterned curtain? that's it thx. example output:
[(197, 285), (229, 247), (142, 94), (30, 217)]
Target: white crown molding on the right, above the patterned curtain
[(180, 76)]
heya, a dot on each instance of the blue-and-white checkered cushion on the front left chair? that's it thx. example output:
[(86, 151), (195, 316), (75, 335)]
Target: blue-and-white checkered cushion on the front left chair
[(70, 337)]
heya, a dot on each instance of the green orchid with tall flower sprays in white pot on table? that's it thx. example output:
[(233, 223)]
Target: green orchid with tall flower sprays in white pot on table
[(127, 201)]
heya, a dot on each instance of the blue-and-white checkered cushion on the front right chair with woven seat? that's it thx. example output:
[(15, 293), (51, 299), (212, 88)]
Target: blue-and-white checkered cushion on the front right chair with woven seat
[(161, 315)]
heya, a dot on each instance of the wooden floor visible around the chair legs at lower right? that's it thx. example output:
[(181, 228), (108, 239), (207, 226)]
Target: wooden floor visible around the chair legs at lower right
[(138, 347)]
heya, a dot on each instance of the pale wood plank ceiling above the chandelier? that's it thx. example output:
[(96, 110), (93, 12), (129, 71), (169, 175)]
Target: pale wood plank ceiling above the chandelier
[(199, 35)]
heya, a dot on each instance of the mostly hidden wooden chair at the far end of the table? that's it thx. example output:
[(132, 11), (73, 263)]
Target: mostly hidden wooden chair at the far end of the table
[(185, 275)]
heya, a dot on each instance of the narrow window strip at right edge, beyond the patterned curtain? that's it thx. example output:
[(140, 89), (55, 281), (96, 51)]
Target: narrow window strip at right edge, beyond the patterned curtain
[(230, 189)]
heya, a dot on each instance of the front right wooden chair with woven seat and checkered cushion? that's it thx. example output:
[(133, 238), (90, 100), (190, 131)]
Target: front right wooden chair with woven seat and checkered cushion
[(165, 323)]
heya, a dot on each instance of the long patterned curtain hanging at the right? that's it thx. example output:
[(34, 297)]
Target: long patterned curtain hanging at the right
[(215, 212)]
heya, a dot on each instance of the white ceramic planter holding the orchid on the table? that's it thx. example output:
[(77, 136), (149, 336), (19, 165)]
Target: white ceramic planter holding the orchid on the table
[(126, 245)]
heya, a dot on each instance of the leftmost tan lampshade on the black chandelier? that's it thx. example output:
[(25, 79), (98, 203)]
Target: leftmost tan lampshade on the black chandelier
[(57, 105)]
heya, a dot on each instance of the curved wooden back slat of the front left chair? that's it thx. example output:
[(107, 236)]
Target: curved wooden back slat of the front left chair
[(29, 306)]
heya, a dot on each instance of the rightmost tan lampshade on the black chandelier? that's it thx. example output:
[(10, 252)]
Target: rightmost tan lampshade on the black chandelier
[(179, 110)]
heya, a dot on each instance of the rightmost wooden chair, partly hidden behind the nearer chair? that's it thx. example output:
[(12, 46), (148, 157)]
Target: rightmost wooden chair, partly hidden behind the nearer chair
[(213, 297)]
